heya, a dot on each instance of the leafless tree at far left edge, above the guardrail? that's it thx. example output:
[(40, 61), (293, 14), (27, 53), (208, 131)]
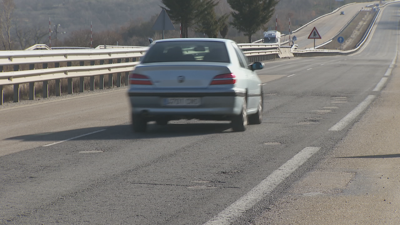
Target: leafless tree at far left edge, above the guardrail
[(6, 13)]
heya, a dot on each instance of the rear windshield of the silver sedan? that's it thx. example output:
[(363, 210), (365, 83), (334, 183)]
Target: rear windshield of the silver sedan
[(187, 51)]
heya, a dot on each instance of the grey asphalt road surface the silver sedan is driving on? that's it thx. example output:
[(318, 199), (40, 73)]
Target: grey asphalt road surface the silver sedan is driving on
[(74, 160)]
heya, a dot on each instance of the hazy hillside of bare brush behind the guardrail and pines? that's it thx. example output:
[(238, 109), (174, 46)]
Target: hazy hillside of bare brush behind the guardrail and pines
[(129, 22)]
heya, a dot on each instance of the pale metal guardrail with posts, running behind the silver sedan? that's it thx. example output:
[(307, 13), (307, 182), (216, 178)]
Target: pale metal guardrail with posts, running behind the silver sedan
[(29, 67)]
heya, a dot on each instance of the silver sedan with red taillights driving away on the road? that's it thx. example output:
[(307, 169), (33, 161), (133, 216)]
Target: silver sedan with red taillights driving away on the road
[(192, 78)]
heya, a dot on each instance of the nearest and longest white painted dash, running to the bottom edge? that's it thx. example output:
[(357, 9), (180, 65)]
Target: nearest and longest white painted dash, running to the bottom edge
[(263, 189)]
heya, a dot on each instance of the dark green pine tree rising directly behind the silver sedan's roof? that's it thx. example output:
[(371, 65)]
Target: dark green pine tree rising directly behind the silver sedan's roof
[(187, 12)]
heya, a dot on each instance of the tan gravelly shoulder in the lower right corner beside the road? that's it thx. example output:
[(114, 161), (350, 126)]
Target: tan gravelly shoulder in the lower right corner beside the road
[(358, 182)]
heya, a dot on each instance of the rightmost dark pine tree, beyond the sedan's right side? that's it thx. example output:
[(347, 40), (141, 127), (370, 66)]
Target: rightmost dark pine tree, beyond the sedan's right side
[(250, 15)]
